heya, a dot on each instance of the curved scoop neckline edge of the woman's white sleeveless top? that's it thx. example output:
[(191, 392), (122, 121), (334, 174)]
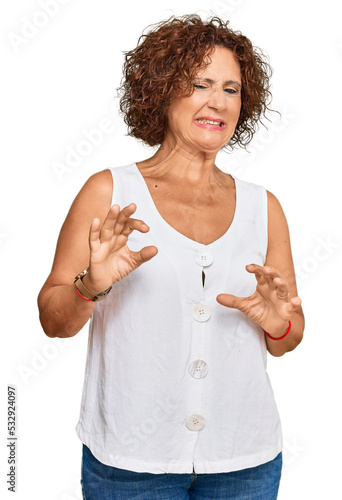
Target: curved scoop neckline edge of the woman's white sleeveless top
[(177, 233)]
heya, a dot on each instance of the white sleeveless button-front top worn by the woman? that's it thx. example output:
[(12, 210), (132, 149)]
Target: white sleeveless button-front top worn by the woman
[(174, 381)]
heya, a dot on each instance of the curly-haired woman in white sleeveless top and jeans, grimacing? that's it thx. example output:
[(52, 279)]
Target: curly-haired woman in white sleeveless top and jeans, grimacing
[(176, 400)]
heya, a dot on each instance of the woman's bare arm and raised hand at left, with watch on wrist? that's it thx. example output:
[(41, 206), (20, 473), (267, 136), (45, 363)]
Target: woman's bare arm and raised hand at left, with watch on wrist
[(93, 235)]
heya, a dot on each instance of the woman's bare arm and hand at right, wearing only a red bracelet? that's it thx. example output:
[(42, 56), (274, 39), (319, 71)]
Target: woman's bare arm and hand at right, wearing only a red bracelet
[(275, 300)]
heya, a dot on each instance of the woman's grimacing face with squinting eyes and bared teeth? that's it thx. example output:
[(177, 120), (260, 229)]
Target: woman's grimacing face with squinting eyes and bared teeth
[(205, 121)]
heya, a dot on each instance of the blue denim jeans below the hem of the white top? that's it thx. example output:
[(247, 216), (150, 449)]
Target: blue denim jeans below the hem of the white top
[(102, 482)]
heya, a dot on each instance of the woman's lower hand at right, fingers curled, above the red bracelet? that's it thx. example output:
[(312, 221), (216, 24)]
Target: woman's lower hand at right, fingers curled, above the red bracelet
[(270, 306)]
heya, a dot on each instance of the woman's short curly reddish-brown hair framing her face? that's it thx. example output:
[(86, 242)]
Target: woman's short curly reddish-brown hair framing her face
[(164, 64)]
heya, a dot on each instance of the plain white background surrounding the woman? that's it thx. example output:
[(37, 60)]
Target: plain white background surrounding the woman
[(60, 81)]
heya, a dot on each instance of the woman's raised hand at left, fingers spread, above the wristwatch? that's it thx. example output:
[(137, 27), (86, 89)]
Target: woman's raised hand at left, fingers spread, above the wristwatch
[(110, 257)]
